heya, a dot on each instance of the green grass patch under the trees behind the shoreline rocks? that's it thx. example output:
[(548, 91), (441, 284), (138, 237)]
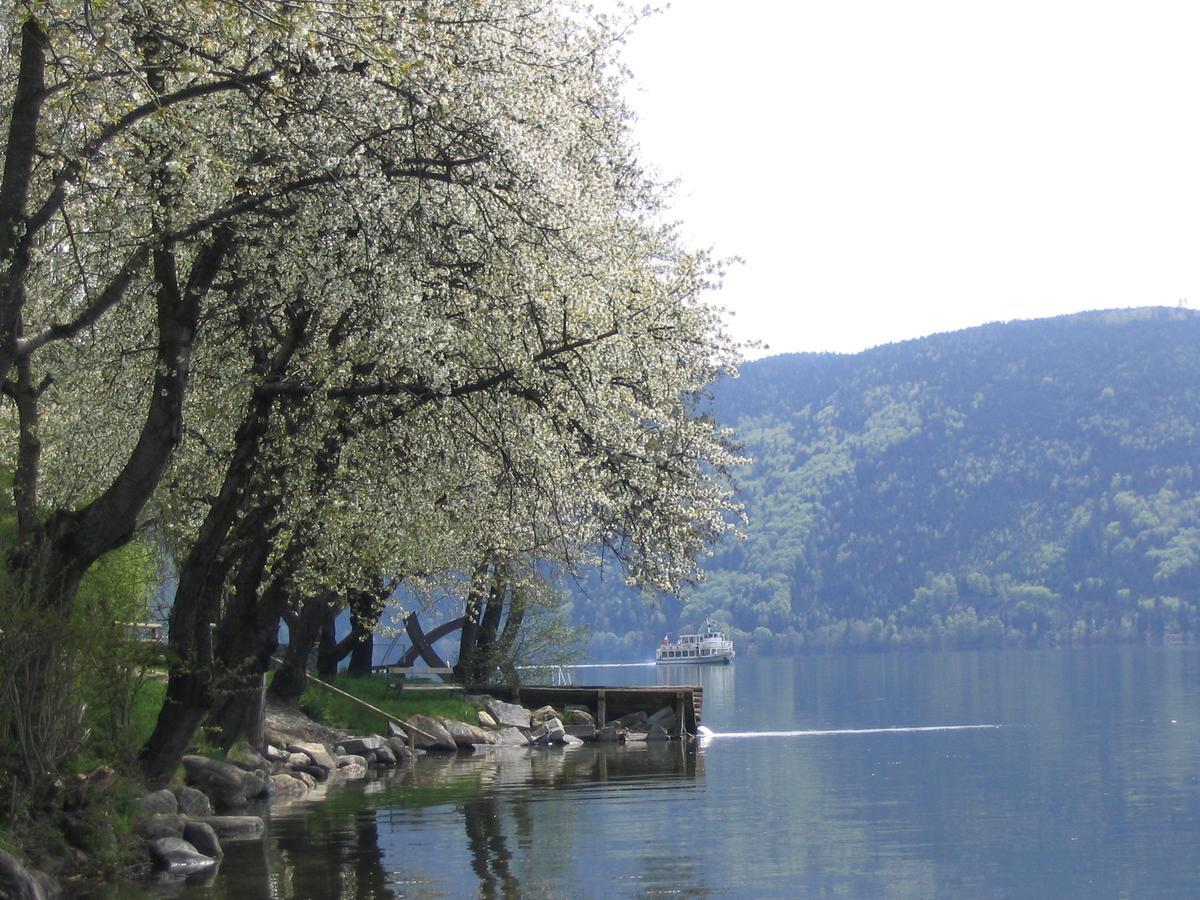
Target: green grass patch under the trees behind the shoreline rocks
[(338, 712)]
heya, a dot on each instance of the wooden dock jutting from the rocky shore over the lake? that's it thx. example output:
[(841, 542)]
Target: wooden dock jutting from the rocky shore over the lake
[(608, 704)]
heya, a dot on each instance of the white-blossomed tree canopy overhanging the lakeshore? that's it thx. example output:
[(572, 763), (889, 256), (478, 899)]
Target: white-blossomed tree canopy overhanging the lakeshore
[(327, 293)]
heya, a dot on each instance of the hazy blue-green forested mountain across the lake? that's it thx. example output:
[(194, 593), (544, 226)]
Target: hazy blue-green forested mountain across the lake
[(1023, 483)]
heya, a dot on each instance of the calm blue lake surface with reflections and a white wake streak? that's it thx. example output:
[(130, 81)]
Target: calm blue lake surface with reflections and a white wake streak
[(844, 776)]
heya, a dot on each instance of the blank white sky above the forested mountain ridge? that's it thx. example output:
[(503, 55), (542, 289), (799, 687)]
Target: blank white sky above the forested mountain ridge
[(893, 169)]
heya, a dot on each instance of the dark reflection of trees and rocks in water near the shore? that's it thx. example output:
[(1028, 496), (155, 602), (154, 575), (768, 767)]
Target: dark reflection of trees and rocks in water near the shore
[(501, 824)]
